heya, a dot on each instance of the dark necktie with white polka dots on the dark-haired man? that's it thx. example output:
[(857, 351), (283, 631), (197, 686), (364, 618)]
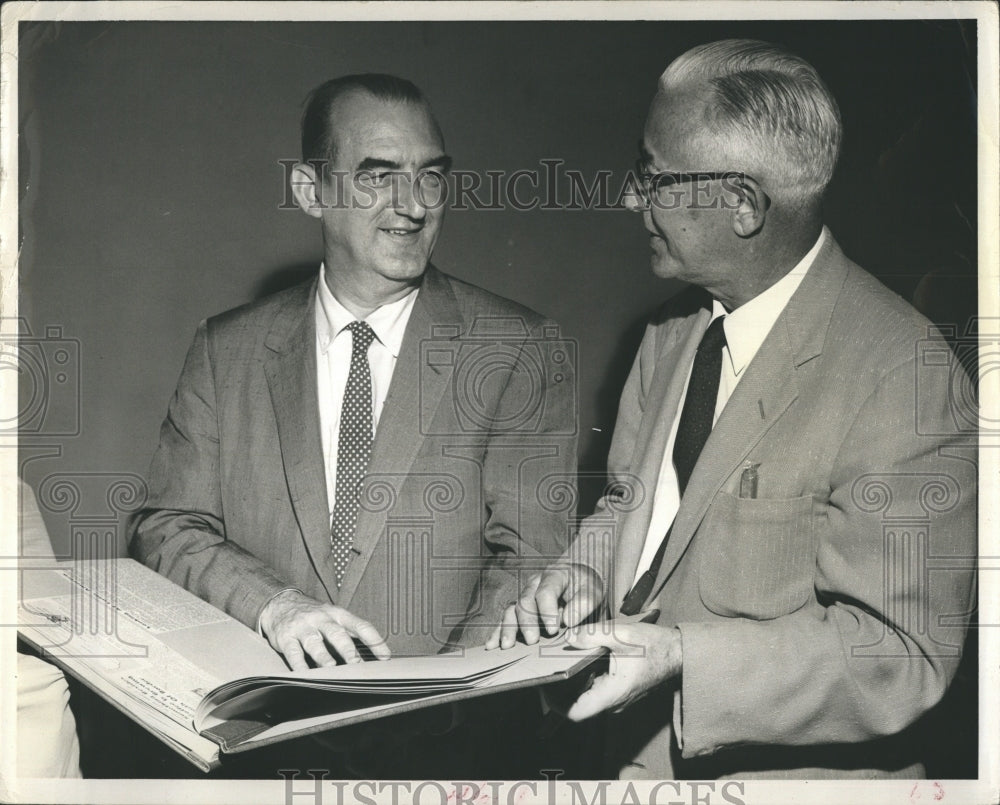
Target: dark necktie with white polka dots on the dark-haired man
[(354, 446)]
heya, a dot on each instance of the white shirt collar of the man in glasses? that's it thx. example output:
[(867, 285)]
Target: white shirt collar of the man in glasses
[(748, 325)]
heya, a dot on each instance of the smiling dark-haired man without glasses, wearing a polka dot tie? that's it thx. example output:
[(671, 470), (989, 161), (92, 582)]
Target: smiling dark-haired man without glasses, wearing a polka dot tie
[(270, 498)]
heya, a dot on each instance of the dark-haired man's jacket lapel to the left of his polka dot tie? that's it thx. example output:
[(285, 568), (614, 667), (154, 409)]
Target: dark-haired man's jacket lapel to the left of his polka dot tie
[(291, 376)]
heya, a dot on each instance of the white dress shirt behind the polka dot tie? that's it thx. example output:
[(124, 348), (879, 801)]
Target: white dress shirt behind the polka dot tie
[(333, 364)]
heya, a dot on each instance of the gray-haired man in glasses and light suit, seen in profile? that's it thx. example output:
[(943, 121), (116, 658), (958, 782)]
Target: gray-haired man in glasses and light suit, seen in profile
[(791, 469)]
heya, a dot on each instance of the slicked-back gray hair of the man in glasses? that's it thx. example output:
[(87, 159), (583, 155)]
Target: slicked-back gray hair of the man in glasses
[(771, 106)]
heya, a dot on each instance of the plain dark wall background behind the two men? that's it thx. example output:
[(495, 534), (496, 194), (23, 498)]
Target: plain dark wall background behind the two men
[(151, 186)]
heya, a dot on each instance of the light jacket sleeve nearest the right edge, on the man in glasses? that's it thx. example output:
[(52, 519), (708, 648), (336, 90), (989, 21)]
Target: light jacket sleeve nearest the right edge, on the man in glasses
[(897, 536)]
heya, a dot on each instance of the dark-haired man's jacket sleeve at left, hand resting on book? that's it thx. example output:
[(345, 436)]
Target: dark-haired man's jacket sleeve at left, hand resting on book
[(181, 532)]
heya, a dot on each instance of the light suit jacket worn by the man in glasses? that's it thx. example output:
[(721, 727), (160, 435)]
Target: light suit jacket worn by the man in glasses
[(819, 620)]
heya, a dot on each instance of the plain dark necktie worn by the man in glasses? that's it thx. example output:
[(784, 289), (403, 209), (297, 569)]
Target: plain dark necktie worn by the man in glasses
[(692, 433)]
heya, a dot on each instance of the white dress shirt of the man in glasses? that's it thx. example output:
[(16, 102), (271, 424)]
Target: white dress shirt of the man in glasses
[(746, 328)]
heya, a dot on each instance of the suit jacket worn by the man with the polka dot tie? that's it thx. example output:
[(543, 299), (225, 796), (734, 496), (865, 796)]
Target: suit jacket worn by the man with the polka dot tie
[(480, 415)]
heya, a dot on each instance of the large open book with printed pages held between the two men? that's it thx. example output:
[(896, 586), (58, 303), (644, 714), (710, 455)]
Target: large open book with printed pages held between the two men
[(204, 683)]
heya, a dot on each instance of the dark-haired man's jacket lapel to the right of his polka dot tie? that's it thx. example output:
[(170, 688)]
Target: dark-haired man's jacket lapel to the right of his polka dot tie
[(414, 395)]
